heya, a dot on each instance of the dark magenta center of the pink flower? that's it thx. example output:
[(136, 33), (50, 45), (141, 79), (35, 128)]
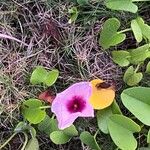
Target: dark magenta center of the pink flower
[(76, 104)]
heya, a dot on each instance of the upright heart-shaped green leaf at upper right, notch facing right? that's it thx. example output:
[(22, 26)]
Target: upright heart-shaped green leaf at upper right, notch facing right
[(109, 35)]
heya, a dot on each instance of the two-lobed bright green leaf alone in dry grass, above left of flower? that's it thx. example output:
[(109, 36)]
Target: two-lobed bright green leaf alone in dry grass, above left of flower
[(40, 75)]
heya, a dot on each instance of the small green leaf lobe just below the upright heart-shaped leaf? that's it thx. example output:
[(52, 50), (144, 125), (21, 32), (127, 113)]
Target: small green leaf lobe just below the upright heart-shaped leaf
[(121, 58)]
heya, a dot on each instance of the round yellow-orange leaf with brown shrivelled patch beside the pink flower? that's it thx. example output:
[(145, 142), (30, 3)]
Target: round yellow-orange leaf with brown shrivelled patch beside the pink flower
[(103, 96)]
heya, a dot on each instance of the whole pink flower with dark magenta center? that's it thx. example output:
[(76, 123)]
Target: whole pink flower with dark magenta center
[(73, 103)]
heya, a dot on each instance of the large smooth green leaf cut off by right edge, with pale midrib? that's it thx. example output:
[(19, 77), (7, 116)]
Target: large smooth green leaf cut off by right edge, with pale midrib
[(137, 101)]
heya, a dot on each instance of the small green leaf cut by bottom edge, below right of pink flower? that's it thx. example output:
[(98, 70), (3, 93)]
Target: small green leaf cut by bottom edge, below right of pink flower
[(89, 140)]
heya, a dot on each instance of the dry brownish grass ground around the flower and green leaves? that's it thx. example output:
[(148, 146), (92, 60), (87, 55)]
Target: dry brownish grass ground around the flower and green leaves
[(49, 40)]
